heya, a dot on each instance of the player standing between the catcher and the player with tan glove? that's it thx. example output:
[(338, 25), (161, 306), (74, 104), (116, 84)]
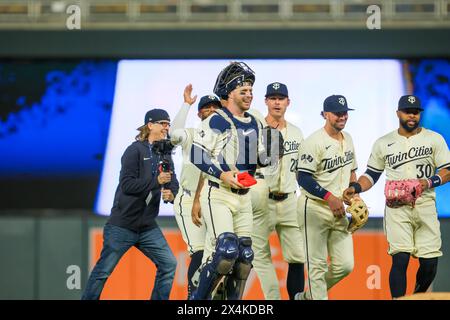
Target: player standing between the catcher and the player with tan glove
[(275, 203)]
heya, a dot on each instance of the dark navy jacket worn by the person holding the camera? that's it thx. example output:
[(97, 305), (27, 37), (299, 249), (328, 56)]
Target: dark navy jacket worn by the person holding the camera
[(138, 177)]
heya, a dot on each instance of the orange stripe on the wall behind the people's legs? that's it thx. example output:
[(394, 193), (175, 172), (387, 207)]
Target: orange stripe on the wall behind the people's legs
[(134, 275)]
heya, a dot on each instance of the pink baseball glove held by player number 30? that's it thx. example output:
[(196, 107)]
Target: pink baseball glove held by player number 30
[(402, 192)]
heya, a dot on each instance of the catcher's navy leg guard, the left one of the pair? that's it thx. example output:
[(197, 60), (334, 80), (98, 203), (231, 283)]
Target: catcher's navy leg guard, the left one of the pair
[(224, 257)]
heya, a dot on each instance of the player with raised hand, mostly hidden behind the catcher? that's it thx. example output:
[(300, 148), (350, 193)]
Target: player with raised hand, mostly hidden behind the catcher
[(193, 236)]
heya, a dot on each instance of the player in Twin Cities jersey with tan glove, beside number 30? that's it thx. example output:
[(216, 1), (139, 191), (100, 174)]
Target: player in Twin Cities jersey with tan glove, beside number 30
[(326, 166)]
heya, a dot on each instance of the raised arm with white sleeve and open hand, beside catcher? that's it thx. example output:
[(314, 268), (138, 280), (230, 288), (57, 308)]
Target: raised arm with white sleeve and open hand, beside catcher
[(177, 133)]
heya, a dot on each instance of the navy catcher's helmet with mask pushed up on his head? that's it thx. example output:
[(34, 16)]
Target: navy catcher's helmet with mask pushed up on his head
[(231, 77)]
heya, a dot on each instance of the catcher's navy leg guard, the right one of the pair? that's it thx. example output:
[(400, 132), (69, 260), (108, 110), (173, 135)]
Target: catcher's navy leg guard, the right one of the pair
[(235, 284)]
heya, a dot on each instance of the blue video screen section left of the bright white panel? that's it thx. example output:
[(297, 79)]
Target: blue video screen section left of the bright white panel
[(54, 117)]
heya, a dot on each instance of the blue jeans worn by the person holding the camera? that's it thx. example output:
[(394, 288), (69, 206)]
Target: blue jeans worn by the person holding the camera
[(117, 241)]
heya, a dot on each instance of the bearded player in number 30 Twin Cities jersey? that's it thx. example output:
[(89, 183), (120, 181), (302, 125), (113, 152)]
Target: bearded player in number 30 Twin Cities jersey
[(410, 152)]
